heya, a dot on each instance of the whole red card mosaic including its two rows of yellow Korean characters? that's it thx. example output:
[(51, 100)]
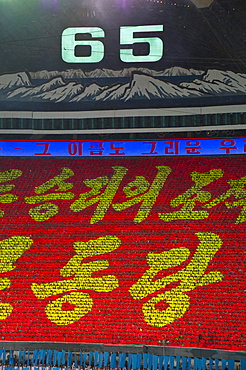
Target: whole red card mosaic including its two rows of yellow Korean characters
[(123, 250)]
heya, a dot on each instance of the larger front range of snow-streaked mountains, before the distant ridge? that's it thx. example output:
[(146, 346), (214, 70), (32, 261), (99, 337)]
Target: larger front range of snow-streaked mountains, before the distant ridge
[(141, 87)]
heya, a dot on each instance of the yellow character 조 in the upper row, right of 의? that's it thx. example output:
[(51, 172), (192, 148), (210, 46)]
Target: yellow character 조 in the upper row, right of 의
[(187, 198)]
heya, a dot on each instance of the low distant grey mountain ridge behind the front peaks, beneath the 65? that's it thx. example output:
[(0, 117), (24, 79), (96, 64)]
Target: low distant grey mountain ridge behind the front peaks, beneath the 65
[(104, 73)]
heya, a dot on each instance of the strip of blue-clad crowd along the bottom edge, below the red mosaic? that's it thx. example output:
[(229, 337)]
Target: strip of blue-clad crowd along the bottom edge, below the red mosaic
[(121, 360)]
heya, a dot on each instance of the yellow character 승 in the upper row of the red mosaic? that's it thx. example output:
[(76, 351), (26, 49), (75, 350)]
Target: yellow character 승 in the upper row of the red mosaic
[(45, 211)]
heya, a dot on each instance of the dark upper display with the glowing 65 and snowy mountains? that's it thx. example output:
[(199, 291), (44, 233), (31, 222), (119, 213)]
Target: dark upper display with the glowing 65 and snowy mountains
[(79, 55)]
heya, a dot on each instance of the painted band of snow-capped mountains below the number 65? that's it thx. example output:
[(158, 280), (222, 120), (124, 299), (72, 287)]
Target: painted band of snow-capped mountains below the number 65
[(70, 89)]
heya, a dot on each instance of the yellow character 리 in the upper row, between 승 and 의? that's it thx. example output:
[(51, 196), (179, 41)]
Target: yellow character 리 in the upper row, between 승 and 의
[(103, 192)]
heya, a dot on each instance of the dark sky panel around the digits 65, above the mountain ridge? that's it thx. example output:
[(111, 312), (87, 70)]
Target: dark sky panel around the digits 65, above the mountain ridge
[(202, 38)]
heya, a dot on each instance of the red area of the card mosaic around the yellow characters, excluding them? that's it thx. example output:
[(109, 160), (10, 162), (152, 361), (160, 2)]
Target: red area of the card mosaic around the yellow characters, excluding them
[(216, 314)]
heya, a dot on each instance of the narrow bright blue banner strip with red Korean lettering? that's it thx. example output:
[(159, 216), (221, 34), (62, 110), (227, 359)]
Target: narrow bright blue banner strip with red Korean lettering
[(127, 148)]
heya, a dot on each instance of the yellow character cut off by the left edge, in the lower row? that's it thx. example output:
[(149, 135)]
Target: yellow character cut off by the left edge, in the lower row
[(10, 250)]
